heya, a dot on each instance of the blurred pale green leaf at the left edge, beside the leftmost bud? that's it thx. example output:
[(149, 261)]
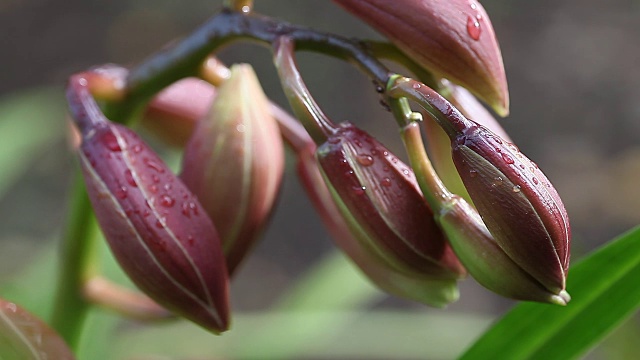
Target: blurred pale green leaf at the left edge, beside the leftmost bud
[(30, 121)]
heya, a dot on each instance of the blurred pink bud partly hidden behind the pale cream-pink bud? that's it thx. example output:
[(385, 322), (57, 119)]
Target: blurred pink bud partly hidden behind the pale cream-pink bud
[(172, 115)]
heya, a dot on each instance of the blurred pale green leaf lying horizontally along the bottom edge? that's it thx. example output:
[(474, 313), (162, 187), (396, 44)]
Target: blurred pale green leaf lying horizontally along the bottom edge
[(394, 334)]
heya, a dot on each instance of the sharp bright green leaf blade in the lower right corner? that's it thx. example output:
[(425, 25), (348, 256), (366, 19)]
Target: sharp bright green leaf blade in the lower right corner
[(605, 291)]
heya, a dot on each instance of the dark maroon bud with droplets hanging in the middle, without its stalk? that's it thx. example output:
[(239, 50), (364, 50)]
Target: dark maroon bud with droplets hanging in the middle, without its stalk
[(383, 206)]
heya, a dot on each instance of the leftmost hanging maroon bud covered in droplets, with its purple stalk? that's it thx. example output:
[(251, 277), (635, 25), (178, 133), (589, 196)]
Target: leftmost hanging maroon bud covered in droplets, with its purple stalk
[(155, 227)]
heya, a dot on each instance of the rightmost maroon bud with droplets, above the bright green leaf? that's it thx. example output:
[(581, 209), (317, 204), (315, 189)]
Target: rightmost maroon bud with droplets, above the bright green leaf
[(520, 207)]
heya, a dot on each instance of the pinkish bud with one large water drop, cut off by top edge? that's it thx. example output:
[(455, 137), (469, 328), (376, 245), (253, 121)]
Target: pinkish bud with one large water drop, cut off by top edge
[(453, 39)]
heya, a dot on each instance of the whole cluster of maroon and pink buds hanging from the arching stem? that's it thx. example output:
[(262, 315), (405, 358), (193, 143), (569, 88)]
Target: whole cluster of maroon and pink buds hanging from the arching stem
[(180, 238)]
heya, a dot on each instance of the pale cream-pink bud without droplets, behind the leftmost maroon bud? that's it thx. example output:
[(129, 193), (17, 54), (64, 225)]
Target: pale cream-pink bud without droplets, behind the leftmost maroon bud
[(234, 163)]
